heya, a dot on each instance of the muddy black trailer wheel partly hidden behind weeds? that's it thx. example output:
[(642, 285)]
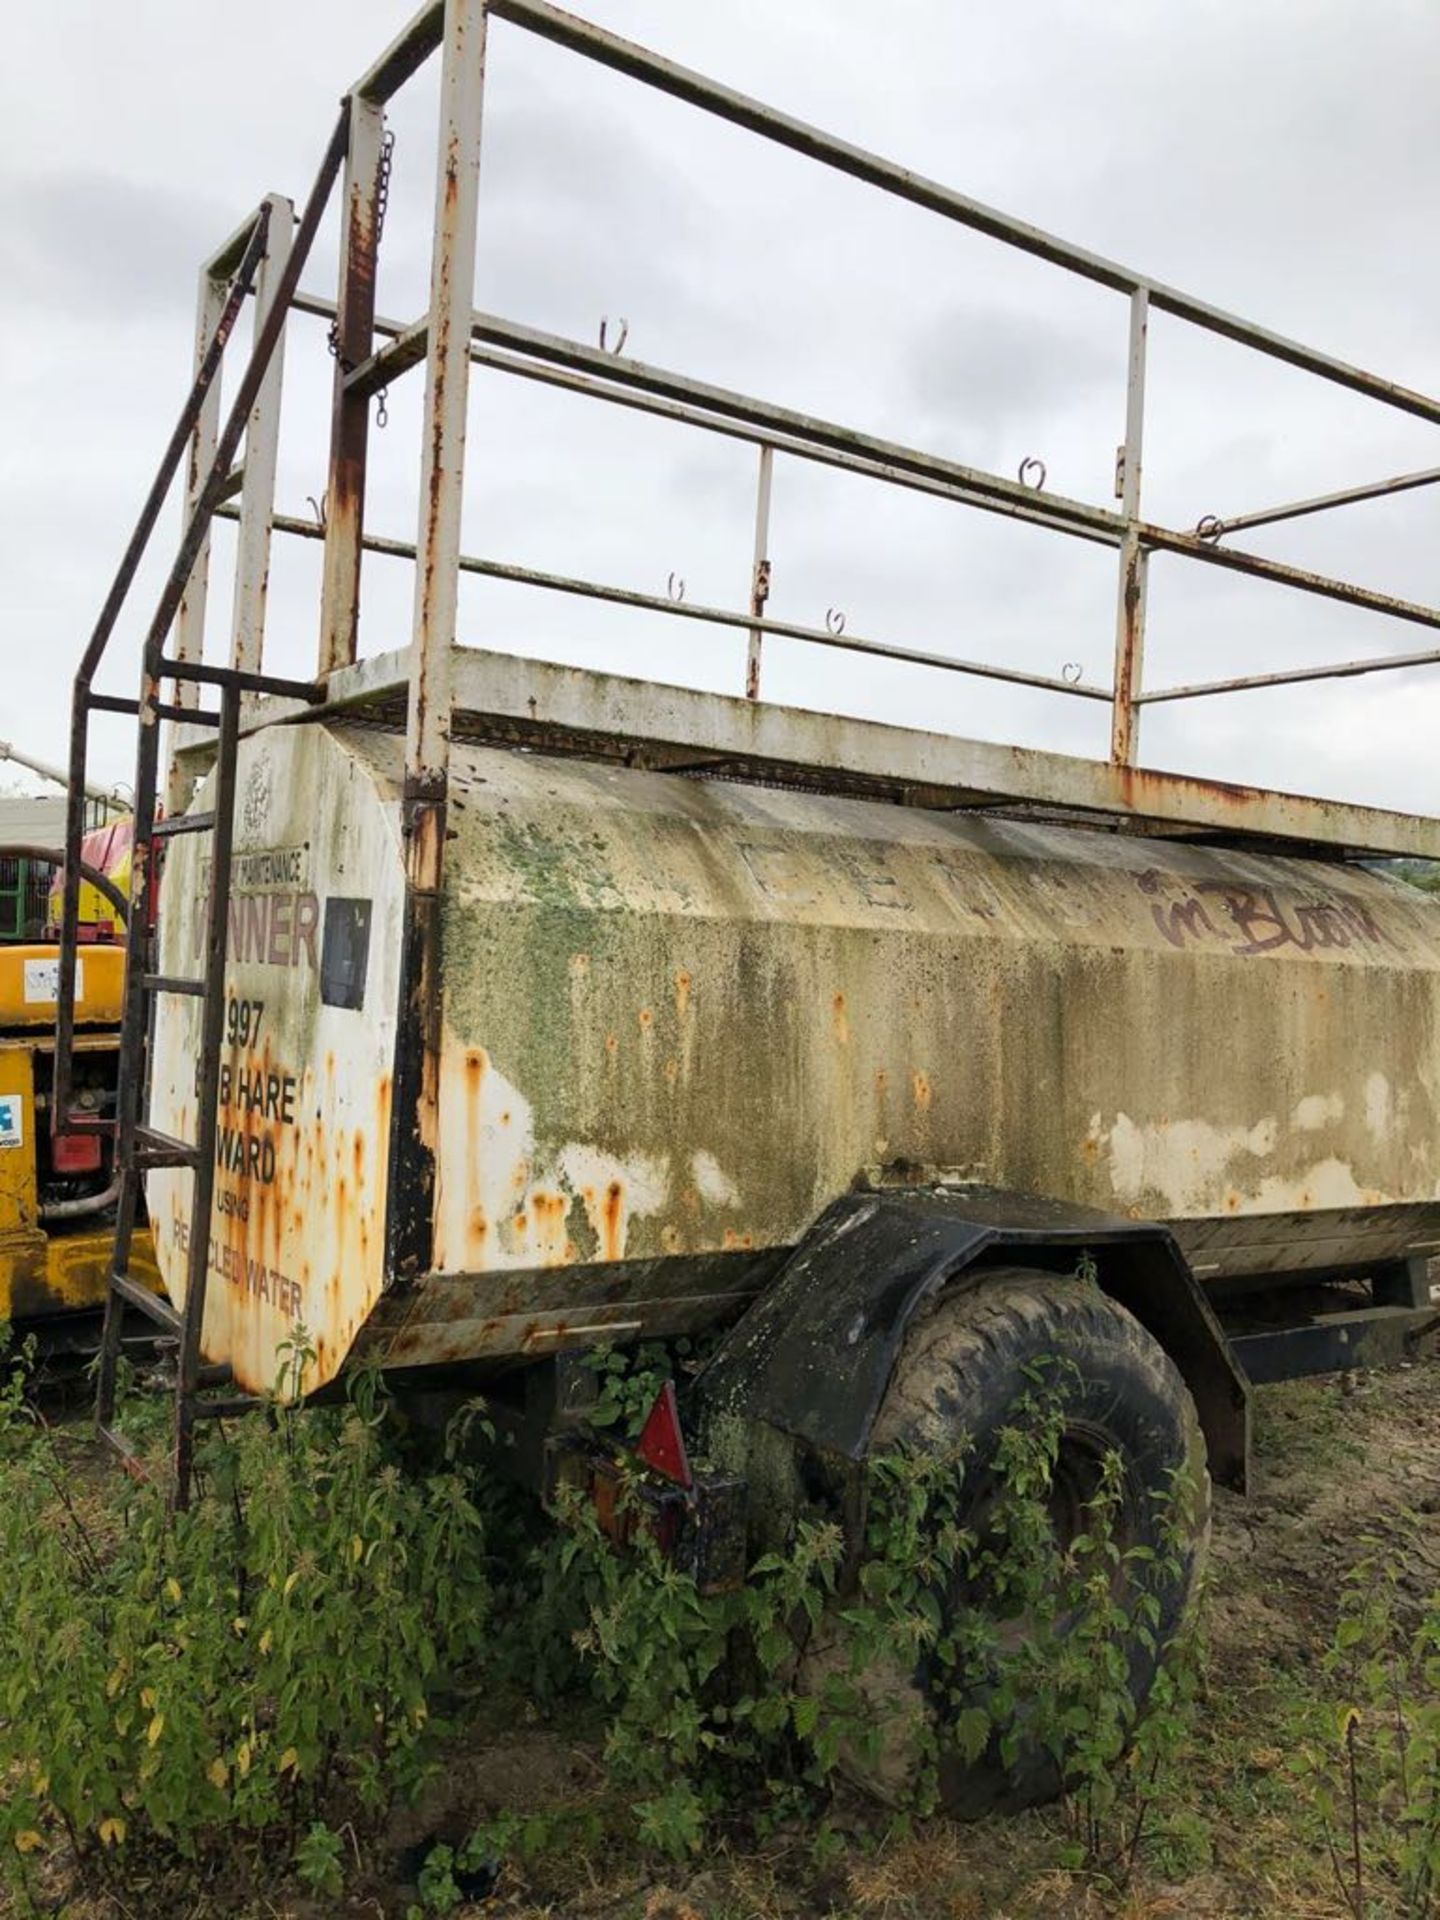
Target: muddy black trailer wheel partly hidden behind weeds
[(961, 1372)]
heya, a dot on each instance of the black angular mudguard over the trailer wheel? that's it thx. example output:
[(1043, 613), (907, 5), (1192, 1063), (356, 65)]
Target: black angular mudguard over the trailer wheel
[(815, 1355)]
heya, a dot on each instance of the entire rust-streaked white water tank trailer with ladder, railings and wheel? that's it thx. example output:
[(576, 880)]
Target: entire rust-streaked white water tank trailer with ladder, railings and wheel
[(496, 1011)]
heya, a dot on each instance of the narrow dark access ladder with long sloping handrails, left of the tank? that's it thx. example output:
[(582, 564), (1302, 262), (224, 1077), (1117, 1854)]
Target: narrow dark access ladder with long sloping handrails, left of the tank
[(266, 256)]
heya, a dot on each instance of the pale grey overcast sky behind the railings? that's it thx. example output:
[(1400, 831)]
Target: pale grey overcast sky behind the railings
[(1274, 156)]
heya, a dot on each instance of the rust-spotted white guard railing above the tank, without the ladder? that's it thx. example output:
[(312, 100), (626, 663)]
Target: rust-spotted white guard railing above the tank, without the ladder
[(450, 337)]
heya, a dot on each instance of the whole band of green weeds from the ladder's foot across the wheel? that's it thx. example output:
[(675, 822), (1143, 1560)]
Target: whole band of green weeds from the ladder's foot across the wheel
[(272, 1668)]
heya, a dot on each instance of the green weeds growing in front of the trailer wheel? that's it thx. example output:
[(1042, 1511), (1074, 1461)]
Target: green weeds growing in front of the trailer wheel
[(711, 1702)]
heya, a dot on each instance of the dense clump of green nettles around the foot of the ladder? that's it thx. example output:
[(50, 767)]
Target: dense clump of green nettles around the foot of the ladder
[(174, 1681)]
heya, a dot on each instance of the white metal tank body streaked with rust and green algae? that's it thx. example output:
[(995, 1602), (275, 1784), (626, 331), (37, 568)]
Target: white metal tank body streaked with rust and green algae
[(679, 1019)]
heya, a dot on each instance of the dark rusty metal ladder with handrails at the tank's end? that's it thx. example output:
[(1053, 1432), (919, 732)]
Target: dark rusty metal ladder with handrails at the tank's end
[(139, 1147)]
